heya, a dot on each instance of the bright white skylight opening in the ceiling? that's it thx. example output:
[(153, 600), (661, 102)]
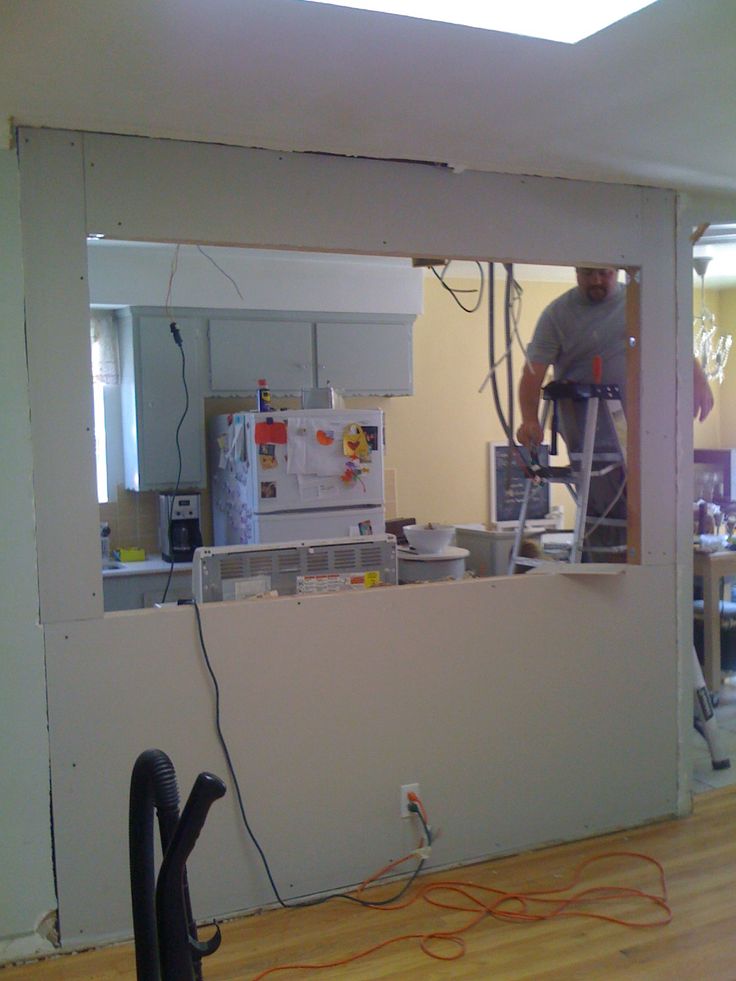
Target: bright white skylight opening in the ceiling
[(553, 20)]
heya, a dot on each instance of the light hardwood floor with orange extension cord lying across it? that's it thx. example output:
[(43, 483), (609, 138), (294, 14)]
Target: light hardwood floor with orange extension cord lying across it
[(698, 854)]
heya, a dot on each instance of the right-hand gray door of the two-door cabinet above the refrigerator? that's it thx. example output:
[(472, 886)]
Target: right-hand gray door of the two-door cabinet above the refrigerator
[(365, 358)]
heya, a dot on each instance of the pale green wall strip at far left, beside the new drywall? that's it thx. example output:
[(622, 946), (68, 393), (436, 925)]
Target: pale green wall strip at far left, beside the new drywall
[(26, 884)]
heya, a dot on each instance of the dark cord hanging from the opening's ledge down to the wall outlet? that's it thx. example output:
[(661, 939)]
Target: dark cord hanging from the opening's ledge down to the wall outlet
[(415, 806)]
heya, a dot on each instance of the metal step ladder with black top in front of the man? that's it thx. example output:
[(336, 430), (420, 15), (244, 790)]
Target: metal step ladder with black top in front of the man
[(594, 398)]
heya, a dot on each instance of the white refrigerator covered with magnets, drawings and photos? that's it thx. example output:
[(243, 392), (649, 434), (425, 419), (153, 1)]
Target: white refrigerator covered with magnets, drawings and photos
[(295, 475)]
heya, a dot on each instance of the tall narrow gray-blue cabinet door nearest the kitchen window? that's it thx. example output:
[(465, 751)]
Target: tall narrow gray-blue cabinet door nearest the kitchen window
[(161, 400)]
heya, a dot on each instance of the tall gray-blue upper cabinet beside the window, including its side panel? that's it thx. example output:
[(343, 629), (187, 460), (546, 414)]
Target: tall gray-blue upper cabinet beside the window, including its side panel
[(153, 399)]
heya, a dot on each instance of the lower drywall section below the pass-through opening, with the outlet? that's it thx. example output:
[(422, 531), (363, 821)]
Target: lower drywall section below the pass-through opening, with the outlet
[(516, 733)]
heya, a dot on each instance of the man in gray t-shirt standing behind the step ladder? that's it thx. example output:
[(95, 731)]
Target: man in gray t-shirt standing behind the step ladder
[(588, 321)]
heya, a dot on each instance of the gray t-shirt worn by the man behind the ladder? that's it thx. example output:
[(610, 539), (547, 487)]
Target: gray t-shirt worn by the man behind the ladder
[(570, 332)]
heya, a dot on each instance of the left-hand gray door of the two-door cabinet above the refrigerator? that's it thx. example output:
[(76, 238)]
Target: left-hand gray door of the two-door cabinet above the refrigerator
[(242, 351)]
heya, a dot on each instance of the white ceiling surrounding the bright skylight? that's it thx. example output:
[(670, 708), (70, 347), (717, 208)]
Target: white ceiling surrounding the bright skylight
[(649, 100)]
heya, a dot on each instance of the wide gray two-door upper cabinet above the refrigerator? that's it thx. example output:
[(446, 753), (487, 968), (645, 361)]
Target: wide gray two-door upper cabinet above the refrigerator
[(359, 355)]
